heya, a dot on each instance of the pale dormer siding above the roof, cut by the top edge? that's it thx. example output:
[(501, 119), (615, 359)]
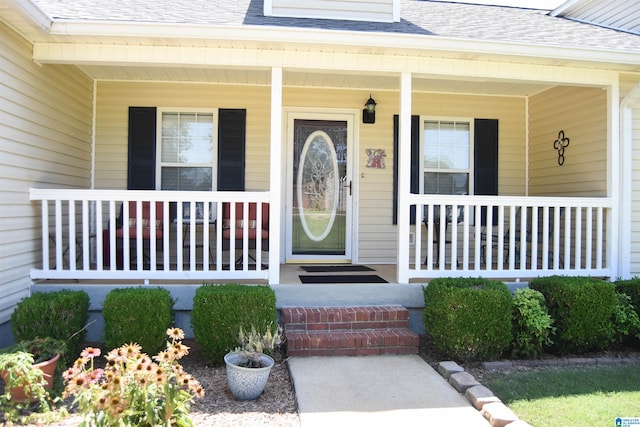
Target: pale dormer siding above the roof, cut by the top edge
[(353, 10)]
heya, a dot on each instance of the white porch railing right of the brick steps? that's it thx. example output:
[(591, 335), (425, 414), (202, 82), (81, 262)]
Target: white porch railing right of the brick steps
[(510, 237)]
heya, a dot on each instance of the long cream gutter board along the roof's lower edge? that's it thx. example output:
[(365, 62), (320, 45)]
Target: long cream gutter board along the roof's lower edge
[(285, 35)]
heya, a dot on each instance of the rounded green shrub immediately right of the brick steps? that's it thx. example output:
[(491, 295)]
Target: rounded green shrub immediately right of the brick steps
[(468, 319)]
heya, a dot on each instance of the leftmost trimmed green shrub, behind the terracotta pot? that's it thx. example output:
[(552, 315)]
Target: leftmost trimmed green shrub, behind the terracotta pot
[(62, 315)]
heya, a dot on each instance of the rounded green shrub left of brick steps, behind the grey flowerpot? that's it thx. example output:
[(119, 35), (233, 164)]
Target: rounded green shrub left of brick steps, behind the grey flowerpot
[(220, 310)]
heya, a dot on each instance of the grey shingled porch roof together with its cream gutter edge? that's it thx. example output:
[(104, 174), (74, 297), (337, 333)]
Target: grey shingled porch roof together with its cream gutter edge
[(439, 27)]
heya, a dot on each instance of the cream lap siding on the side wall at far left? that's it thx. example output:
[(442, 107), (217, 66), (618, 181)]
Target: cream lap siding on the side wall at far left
[(45, 141)]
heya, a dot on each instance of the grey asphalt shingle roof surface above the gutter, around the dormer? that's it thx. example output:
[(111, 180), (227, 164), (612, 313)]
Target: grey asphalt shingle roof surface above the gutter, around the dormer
[(420, 17)]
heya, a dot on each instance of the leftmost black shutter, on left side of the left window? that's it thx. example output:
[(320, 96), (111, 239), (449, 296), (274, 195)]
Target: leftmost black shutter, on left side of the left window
[(141, 167)]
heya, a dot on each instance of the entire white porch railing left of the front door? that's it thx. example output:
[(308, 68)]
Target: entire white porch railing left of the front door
[(80, 241)]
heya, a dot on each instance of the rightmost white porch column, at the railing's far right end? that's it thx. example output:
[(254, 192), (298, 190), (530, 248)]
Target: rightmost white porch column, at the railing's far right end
[(614, 256)]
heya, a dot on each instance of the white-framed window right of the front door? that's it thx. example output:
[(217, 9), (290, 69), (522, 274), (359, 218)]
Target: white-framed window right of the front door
[(447, 157)]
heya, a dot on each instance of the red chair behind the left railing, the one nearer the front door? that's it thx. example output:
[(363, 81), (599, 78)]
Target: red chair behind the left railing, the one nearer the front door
[(234, 229)]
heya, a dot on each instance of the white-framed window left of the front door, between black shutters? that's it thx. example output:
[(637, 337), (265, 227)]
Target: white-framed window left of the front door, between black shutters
[(187, 145)]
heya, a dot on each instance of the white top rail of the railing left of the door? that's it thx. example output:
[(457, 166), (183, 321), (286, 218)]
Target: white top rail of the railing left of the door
[(148, 195)]
